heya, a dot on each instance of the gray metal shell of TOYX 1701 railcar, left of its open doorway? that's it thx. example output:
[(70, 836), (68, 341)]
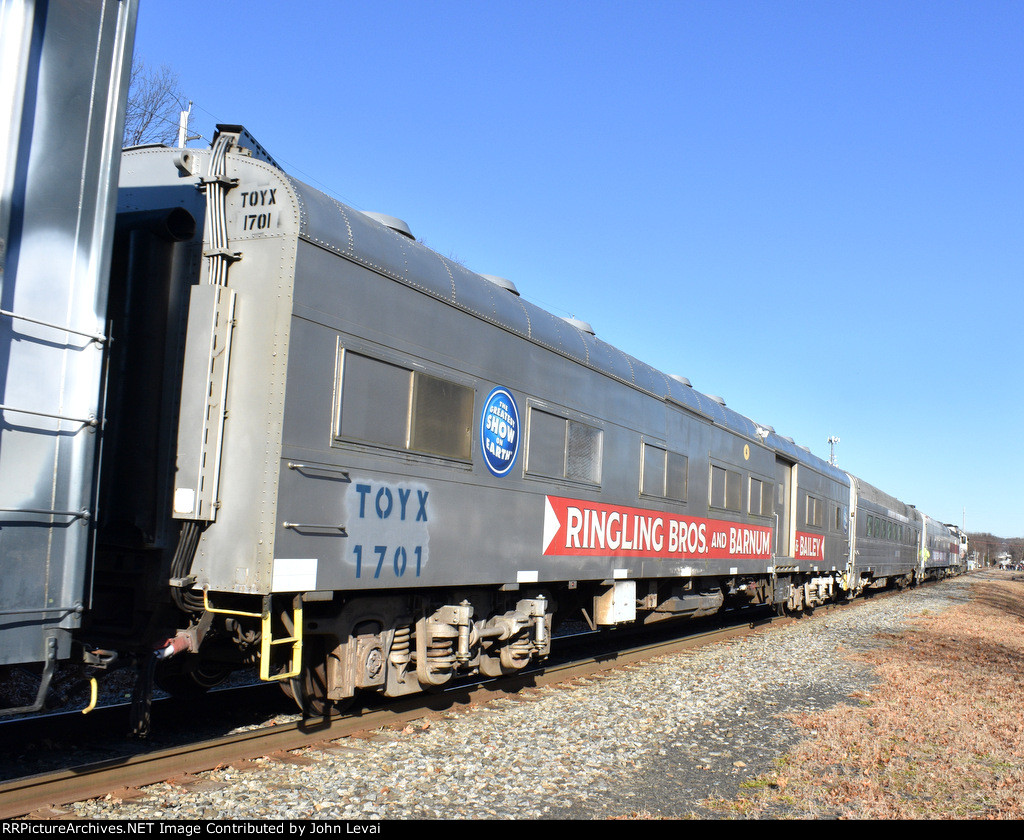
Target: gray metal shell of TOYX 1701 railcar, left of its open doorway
[(324, 283)]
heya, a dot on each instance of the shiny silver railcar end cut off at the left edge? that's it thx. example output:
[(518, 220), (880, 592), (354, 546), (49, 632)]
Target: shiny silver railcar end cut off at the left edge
[(65, 79)]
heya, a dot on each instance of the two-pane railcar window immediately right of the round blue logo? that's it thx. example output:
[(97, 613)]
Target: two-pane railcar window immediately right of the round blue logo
[(561, 448)]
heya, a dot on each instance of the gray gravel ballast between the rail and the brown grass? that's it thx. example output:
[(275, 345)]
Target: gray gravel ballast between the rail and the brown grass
[(652, 740)]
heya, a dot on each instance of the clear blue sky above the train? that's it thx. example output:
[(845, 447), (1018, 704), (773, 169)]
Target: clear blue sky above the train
[(814, 209)]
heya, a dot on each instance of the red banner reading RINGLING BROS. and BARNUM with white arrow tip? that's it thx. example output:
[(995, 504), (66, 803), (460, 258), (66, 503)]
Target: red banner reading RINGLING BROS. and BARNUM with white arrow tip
[(576, 528)]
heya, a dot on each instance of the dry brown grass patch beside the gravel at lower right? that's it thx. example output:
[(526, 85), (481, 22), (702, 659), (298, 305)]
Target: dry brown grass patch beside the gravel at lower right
[(942, 737)]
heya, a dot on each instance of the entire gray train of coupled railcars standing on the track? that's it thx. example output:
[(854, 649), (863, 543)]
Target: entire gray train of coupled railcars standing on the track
[(280, 432)]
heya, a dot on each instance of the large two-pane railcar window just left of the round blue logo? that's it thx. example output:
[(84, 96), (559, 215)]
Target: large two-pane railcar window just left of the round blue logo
[(392, 406)]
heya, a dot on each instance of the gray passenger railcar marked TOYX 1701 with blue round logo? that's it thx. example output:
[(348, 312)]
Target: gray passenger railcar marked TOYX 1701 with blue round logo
[(348, 397)]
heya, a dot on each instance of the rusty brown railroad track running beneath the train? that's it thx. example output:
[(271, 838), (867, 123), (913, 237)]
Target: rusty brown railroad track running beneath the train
[(34, 795)]
